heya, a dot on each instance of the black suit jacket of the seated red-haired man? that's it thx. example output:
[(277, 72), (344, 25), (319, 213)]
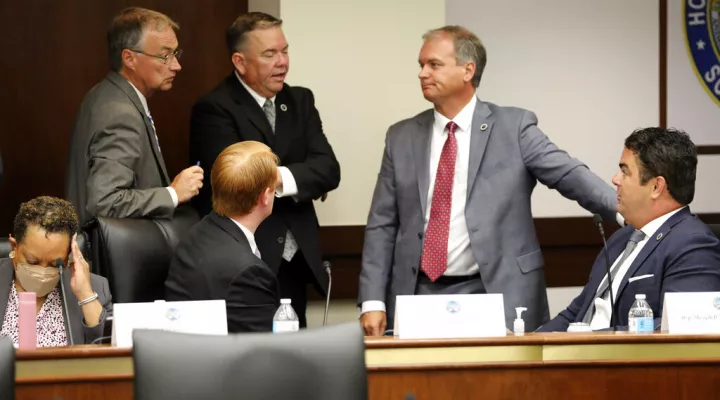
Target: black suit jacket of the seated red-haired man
[(215, 262)]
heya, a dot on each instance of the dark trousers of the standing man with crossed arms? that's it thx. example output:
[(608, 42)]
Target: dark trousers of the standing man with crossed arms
[(294, 276)]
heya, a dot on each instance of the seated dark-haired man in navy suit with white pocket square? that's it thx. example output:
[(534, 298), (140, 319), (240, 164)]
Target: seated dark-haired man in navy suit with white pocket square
[(664, 248)]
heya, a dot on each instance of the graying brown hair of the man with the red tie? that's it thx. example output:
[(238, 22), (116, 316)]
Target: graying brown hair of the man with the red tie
[(468, 48)]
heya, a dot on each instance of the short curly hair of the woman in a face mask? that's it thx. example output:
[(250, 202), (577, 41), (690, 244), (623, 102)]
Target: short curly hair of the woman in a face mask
[(49, 213)]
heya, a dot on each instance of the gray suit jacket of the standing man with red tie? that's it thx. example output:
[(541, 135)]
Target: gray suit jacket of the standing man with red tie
[(506, 161)]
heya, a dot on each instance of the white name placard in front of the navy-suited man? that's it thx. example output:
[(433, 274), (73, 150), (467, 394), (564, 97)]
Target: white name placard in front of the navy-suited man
[(691, 313)]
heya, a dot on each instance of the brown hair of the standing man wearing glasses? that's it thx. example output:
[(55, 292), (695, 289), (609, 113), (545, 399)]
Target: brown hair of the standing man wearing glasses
[(128, 28)]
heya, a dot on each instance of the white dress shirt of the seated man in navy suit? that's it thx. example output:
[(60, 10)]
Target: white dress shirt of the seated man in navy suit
[(601, 317)]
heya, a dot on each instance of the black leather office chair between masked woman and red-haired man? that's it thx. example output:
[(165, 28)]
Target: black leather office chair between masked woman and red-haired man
[(135, 254)]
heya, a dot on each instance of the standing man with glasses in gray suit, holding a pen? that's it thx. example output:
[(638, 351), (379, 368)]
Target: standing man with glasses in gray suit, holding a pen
[(115, 166)]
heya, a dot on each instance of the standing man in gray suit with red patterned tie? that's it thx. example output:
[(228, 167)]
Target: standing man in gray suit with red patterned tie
[(451, 209)]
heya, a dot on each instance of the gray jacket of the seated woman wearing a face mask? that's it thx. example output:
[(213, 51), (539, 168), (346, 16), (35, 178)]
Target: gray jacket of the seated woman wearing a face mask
[(82, 334)]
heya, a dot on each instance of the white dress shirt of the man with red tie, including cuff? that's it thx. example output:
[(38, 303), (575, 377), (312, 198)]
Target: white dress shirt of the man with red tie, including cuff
[(461, 260)]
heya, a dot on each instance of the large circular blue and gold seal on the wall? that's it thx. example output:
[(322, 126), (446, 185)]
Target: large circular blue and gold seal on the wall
[(702, 38)]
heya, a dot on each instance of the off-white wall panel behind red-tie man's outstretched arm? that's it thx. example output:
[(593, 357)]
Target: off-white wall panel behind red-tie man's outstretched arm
[(588, 69)]
